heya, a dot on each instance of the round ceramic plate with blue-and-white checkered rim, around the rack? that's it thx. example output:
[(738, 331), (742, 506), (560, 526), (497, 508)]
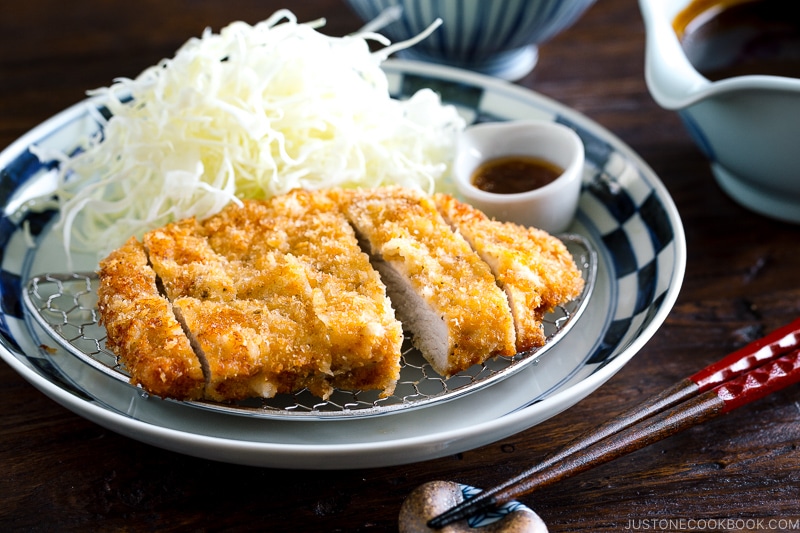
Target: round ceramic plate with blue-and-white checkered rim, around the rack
[(624, 210)]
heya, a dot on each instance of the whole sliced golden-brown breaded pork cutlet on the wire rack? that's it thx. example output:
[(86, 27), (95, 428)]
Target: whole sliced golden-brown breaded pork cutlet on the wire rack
[(292, 293)]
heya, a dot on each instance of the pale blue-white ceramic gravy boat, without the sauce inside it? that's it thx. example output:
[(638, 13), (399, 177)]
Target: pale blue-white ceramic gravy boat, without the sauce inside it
[(748, 126)]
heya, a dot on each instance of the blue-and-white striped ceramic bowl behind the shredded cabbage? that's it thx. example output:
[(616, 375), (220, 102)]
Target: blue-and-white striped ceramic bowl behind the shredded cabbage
[(497, 37)]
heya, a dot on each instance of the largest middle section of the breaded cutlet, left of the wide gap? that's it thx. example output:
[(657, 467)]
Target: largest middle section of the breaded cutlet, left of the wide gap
[(277, 296)]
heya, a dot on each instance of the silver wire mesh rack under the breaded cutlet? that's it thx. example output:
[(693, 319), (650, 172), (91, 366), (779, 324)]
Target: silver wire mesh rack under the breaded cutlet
[(65, 306)]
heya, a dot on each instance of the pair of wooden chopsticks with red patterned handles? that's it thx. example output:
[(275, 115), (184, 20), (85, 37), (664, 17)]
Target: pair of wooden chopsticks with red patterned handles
[(760, 368)]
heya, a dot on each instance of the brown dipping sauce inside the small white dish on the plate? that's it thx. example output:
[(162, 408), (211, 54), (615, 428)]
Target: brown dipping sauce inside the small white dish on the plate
[(514, 174)]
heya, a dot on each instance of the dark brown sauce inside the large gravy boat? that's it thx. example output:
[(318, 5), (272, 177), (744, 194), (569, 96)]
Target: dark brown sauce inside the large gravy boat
[(727, 38)]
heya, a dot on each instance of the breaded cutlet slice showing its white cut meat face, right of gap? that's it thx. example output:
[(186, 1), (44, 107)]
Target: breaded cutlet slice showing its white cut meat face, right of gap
[(444, 294)]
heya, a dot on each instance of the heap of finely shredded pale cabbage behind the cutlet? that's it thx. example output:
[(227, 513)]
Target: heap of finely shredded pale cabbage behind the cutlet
[(250, 112)]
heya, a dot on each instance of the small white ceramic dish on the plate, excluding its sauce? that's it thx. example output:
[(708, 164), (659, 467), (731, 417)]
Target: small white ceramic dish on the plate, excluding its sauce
[(551, 207)]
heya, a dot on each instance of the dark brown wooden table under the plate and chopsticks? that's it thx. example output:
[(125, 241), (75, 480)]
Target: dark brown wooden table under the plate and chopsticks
[(738, 472)]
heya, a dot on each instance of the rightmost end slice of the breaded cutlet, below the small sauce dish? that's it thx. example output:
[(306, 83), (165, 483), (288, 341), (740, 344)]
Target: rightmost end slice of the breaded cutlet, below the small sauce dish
[(534, 268)]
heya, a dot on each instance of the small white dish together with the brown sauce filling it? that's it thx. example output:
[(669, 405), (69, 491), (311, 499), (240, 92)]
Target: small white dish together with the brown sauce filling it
[(527, 171)]
